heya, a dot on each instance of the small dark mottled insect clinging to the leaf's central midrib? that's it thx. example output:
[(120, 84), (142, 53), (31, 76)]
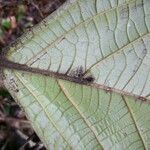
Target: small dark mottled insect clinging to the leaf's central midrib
[(79, 74)]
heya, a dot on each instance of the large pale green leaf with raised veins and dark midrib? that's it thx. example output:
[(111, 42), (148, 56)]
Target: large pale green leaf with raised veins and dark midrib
[(109, 39)]
